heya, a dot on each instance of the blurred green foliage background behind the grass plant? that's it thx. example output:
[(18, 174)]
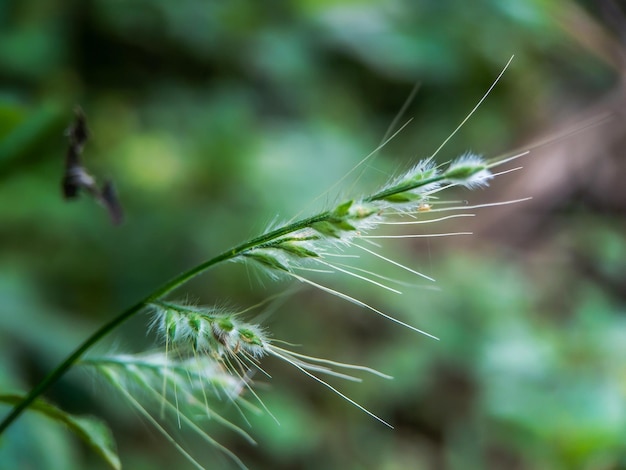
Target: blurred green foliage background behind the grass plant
[(216, 118)]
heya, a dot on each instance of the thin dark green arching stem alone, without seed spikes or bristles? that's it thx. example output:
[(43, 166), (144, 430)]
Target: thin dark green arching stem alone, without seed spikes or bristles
[(166, 288)]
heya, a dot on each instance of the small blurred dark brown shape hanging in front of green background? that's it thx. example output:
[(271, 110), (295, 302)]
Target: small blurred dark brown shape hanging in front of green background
[(76, 177)]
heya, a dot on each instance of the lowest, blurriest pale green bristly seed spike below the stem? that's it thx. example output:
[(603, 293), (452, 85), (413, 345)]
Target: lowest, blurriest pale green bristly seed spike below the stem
[(181, 388)]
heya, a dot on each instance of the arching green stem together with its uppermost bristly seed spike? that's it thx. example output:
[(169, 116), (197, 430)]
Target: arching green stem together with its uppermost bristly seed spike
[(469, 171)]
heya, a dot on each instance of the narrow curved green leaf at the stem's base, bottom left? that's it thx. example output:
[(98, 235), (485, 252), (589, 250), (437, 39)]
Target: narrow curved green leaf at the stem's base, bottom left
[(93, 431)]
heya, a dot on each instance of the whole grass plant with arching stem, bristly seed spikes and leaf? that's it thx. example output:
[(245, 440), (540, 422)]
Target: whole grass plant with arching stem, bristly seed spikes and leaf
[(209, 352)]
